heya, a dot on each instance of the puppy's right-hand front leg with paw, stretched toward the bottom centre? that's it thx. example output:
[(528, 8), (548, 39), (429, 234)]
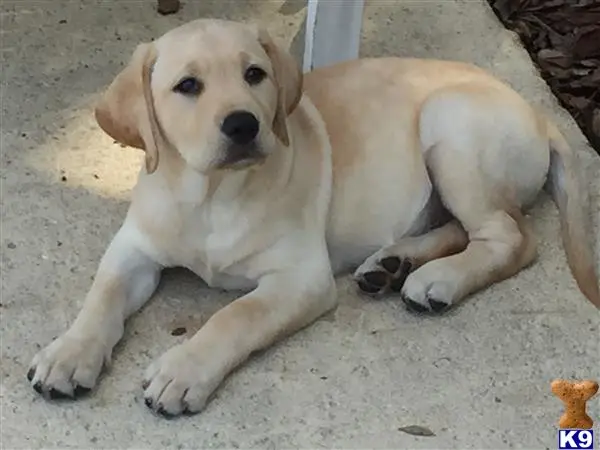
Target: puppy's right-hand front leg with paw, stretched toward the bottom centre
[(185, 376)]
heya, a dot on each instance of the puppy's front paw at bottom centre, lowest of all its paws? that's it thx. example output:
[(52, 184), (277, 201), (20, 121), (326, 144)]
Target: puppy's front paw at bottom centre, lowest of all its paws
[(179, 382)]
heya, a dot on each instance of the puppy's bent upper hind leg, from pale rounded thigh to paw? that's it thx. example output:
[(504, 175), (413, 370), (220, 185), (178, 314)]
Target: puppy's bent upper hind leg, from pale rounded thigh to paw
[(487, 157)]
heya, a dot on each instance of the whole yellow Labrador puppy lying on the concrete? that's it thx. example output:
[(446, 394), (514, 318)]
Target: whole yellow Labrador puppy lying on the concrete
[(412, 173)]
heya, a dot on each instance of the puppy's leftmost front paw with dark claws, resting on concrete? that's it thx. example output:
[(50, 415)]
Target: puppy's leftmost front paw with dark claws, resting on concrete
[(68, 367)]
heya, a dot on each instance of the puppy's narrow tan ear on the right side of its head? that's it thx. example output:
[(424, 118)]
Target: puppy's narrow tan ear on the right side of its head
[(288, 78)]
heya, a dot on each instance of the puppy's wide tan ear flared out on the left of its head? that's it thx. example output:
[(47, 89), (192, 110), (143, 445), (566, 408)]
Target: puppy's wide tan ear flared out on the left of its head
[(126, 111)]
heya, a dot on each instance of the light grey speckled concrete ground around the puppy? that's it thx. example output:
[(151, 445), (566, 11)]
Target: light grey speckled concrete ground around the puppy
[(478, 377)]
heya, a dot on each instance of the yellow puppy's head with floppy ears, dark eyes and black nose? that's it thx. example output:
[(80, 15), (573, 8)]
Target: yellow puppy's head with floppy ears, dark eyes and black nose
[(218, 92)]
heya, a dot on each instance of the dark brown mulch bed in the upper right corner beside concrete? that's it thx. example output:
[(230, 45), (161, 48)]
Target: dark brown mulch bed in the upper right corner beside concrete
[(563, 39)]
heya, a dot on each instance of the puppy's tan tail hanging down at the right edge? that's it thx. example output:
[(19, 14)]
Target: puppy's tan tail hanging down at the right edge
[(566, 190)]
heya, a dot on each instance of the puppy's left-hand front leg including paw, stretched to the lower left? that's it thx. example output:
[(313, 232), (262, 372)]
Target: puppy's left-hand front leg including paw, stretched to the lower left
[(125, 280)]
